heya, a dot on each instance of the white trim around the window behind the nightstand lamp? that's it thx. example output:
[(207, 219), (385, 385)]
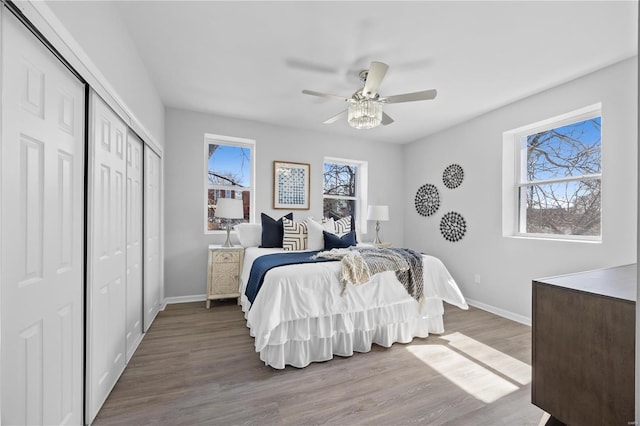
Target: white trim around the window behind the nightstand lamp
[(234, 141)]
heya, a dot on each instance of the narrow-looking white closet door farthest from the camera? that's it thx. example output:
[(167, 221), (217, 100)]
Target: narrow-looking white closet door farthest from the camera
[(152, 245)]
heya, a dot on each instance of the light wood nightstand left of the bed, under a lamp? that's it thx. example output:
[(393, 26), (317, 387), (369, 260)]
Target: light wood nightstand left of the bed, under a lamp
[(223, 272)]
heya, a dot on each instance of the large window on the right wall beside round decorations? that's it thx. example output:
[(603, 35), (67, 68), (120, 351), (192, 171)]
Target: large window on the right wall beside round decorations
[(558, 177)]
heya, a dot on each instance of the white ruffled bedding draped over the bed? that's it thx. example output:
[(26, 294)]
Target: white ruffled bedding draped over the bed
[(300, 315)]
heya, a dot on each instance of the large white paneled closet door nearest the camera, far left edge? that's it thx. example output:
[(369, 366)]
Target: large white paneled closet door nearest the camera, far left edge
[(42, 151)]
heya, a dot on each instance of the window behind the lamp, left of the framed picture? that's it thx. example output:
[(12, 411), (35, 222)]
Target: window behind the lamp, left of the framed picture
[(229, 174)]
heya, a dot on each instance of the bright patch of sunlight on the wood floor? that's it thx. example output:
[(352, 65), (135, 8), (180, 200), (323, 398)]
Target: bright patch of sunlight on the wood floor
[(476, 368)]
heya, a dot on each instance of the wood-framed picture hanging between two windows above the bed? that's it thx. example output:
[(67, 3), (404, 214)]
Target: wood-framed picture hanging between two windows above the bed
[(291, 185)]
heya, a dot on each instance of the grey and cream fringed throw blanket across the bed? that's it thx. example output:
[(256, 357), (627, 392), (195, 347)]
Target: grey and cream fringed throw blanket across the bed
[(359, 264)]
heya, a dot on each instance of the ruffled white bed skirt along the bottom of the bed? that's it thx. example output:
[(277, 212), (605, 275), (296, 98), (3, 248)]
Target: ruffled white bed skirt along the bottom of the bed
[(300, 342)]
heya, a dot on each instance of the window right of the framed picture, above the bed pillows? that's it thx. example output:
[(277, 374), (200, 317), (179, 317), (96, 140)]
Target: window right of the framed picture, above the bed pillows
[(344, 190)]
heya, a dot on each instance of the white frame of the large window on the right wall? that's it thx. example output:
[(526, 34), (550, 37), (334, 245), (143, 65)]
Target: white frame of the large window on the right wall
[(514, 175)]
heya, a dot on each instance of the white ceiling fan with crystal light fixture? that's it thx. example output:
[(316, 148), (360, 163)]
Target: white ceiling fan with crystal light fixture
[(365, 105)]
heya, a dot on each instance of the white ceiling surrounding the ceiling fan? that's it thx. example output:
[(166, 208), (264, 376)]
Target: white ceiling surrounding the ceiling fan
[(251, 60)]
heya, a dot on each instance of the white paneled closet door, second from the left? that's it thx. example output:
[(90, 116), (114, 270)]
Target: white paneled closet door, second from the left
[(106, 304)]
